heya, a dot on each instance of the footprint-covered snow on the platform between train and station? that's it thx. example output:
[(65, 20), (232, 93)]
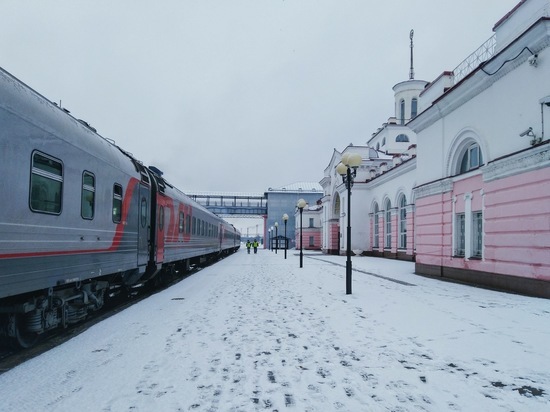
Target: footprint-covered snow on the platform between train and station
[(256, 332)]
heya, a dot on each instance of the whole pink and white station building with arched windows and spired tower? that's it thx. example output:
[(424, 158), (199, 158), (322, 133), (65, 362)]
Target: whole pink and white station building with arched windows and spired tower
[(468, 198)]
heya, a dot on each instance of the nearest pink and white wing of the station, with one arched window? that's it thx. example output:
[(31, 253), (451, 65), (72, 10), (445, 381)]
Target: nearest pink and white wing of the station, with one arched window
[(483, 214)]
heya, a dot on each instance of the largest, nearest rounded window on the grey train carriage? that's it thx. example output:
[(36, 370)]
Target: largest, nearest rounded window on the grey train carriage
[(46, 184)]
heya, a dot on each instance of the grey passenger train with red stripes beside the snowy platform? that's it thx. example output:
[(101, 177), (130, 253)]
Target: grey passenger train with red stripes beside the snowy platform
[(82, 219)]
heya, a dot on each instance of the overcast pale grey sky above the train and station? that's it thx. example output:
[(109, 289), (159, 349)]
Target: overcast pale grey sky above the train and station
[(236, 95)]
